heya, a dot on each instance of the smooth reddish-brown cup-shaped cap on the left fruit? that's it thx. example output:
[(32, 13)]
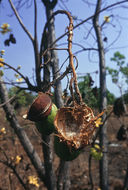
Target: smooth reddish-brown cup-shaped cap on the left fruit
[(40, 108)]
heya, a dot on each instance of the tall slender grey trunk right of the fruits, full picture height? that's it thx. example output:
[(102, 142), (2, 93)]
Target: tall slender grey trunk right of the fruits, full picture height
[(103, 100)]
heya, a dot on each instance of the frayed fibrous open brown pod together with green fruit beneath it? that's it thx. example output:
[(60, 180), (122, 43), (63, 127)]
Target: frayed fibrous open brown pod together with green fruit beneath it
[(75, 127)]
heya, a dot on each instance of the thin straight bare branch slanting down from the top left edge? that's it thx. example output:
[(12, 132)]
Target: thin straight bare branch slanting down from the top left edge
[(20, 21)]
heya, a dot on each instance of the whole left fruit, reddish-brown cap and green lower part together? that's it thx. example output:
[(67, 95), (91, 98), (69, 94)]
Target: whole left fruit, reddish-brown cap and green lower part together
[(43, 112)]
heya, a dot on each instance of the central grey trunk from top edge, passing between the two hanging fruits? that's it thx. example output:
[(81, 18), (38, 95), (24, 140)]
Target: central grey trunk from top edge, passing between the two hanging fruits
[(63, 181)]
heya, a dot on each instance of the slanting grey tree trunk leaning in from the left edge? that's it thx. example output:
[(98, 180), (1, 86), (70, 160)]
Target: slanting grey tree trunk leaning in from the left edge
[(28, 147)]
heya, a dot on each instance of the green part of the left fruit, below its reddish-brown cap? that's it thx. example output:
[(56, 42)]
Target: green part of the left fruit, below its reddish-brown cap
[(46, 126)]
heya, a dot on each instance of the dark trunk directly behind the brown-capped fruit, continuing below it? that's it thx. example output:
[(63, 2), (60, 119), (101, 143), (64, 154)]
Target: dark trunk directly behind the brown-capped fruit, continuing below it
[(47, 141)]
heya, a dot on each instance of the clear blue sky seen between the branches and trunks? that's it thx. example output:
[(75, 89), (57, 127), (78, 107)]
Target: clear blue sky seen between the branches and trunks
[(22, 52)]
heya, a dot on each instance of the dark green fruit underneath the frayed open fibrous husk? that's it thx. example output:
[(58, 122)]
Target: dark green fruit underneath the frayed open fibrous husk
[(65, 152)]
